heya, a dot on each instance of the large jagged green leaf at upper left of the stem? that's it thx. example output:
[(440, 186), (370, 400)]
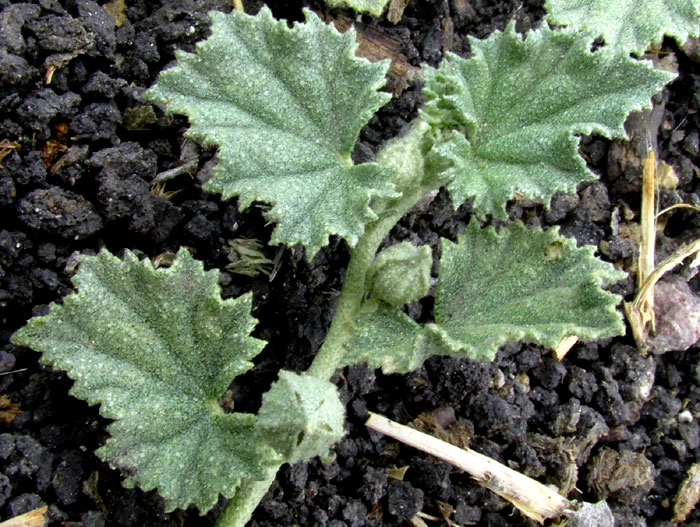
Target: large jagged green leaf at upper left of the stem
[(285, 106)]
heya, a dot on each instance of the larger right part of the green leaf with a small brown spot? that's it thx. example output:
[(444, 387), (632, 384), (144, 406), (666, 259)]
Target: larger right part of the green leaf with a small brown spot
[(521, 284)]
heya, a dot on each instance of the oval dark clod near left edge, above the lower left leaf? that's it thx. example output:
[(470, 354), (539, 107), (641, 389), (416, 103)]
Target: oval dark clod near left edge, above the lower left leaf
[(59, 212)]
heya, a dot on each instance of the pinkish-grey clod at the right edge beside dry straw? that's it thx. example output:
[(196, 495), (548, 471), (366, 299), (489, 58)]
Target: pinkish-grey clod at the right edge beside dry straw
[(677, 314)]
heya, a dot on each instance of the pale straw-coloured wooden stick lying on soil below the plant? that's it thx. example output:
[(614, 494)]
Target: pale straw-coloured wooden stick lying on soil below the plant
[(535, 500)]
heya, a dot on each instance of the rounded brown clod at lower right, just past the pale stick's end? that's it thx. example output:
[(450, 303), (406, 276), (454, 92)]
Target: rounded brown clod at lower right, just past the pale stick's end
[(625, 476)]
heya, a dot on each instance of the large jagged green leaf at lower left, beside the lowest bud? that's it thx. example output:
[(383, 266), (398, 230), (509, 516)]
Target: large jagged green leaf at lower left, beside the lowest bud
[(156, 348)]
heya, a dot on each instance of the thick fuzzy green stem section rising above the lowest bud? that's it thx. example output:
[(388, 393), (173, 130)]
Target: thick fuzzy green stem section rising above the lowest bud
[(331, 352)]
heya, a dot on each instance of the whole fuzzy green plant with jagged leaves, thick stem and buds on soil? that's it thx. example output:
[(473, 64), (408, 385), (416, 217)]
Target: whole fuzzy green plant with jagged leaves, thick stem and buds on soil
[(156, 348)]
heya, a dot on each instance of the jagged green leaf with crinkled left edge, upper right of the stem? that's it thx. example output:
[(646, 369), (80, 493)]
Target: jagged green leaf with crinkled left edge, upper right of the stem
[(520, 102)]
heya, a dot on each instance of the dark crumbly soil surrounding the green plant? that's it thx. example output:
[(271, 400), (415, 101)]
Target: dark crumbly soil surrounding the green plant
[(83, 148)]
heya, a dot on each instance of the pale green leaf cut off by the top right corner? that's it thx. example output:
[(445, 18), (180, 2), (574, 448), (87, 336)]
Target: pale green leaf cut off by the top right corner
[(629, 25)]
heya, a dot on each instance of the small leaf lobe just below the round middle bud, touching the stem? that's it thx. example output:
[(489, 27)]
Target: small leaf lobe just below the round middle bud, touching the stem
[(386, 338)]
